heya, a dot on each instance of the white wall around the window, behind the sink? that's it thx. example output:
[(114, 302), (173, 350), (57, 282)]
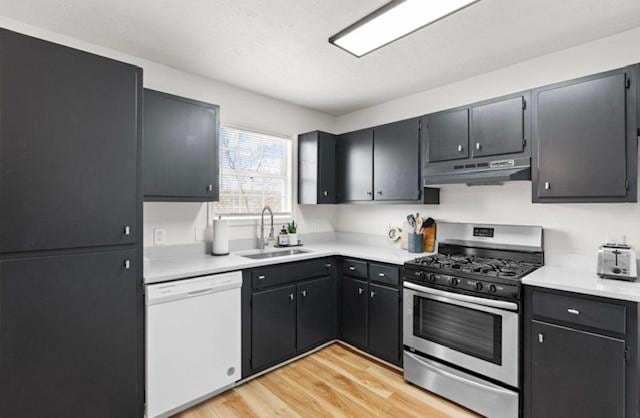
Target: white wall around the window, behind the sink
[(186, 222)]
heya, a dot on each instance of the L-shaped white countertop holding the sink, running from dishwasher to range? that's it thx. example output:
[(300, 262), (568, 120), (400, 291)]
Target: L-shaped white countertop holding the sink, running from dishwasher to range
[(181, 265)]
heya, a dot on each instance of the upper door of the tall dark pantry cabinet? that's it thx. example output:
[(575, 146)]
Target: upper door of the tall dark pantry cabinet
[(68, 147)]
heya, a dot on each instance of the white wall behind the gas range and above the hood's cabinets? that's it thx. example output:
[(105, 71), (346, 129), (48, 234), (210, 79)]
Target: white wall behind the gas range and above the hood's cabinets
[(568, 227)]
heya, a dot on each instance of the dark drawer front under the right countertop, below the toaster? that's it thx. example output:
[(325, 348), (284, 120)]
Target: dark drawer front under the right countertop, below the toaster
[(579, 311)]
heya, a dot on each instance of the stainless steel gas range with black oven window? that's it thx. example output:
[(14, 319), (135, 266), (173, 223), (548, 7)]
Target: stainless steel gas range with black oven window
[(461, 314)]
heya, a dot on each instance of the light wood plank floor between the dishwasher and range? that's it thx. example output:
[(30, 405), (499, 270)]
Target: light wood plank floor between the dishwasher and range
[(333, 382)]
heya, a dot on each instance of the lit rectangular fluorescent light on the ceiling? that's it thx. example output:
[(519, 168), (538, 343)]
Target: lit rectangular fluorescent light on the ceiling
[(394, 20)]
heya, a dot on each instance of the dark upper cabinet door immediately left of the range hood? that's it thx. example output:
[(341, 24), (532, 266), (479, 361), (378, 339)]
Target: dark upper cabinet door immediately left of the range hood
[(396, 161)]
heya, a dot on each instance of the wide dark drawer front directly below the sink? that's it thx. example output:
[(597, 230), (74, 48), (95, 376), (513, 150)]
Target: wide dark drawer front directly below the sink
[(265, 277)]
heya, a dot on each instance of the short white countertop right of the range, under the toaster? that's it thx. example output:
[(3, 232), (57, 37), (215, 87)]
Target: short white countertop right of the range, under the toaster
[(577, 273)]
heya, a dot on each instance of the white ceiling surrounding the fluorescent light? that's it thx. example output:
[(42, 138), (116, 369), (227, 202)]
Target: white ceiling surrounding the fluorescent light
[(279, 47)]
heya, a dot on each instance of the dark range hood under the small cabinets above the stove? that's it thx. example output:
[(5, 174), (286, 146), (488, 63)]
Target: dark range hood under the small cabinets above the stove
[(480, 173)]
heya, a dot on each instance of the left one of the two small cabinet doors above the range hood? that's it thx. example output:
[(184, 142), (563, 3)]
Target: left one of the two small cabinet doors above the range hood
[(447, 135)]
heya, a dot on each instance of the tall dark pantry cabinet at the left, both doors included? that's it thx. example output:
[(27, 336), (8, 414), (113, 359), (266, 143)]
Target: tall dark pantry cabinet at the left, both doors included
[(71, 301)]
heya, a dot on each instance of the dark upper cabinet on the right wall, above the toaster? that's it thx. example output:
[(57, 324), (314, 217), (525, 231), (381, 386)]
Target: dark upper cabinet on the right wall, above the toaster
[(585, 139)]
